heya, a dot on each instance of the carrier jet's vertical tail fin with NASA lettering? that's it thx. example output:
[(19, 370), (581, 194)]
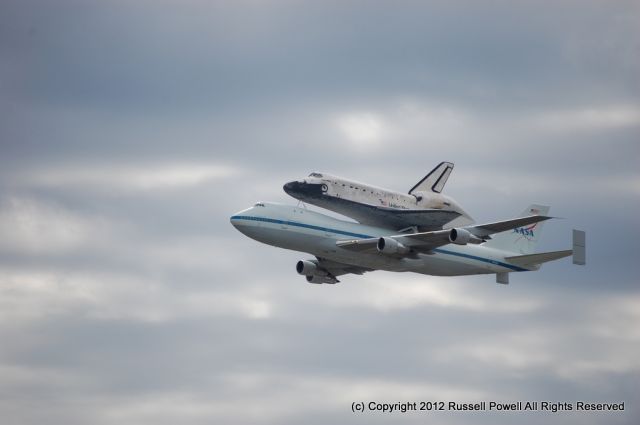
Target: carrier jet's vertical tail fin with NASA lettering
[(521, 240)]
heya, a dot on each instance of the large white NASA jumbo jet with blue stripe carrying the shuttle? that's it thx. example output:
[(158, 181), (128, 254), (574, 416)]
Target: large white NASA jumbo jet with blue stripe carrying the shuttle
[(341, 247)]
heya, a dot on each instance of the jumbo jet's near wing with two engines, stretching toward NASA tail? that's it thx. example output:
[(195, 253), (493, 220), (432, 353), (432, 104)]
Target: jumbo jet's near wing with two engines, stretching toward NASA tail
[(426, 241)]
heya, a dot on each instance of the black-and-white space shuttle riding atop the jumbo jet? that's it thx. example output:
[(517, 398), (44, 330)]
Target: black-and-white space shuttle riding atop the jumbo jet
[(424, 207)]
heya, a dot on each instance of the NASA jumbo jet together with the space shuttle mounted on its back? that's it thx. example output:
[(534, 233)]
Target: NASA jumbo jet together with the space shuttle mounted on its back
[(423, 231)]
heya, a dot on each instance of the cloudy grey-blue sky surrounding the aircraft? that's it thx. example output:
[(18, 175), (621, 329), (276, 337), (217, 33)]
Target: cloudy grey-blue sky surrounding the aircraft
[(130, 131)]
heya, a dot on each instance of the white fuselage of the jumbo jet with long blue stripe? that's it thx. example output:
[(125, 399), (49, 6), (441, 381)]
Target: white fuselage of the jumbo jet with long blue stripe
[(300, 229)]
